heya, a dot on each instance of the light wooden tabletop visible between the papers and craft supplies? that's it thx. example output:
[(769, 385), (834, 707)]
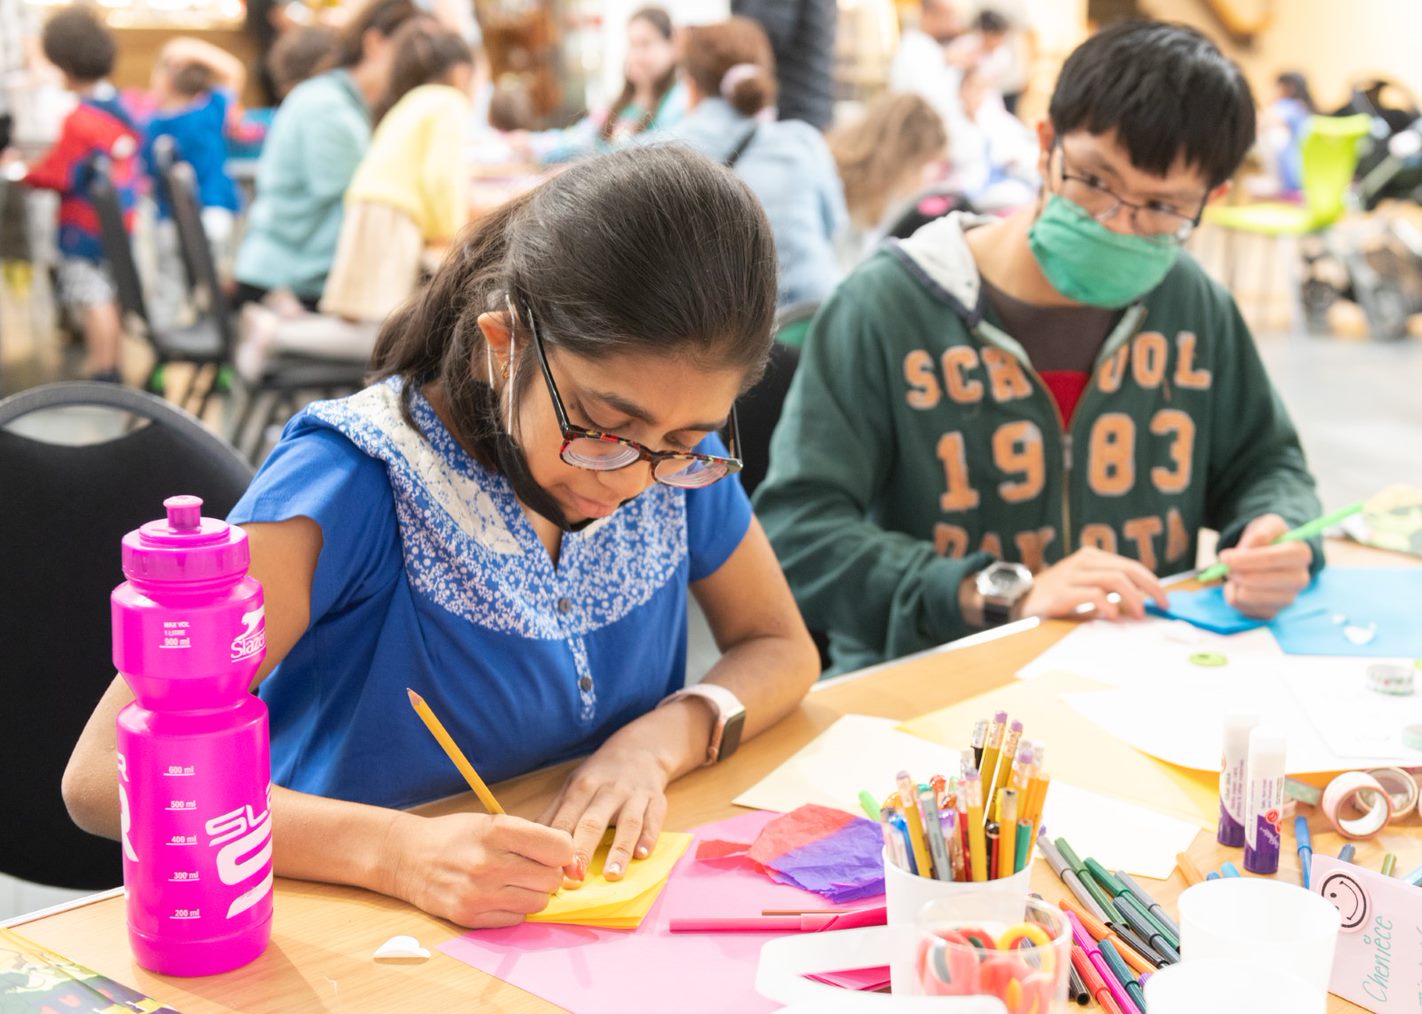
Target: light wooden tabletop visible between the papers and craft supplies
[(322, 945)]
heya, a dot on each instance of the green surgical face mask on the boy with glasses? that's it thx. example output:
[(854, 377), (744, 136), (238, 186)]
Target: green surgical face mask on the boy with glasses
[(1087, 262)]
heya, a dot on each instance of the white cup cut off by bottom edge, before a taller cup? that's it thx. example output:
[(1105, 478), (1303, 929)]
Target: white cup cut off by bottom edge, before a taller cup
[(1228, 986)]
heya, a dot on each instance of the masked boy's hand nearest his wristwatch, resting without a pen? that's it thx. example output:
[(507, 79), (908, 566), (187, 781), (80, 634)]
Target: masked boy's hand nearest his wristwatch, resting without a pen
[(1089, 577)]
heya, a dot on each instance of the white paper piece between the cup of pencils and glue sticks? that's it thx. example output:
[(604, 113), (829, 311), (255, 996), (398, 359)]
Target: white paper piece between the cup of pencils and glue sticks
[(1117, 834)]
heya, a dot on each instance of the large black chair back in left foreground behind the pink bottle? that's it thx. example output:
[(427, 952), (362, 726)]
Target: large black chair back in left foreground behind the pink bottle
[(63, 511)]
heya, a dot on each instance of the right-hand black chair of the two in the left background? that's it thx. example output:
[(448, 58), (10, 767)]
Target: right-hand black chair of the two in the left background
[(287, 378)]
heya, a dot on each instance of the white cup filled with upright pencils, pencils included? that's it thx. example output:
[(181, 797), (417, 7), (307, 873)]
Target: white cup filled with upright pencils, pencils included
[(966, 840)]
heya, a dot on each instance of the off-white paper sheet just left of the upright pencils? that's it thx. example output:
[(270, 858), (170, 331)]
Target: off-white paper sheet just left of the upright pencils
[(857, 753)]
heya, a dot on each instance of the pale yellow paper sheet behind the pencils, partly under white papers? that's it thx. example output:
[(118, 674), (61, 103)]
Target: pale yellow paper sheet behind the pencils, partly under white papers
[(1077, 750)]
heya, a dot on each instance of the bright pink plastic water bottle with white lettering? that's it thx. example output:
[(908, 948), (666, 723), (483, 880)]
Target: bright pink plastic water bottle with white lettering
[(194, 750)]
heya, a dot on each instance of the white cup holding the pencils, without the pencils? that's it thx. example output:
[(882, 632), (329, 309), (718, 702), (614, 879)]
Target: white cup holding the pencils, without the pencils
[(907, 895)]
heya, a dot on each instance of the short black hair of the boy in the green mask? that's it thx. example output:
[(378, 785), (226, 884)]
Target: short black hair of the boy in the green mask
[(1165, 90)]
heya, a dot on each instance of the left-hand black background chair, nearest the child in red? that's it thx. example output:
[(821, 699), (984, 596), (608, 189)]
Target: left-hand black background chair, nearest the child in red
[(207, 343)]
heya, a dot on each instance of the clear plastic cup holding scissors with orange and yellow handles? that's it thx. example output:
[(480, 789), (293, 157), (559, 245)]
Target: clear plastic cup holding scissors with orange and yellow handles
[(1023, 962)]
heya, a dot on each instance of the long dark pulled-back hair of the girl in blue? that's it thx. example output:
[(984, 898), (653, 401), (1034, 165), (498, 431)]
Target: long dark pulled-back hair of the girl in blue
[(651, 251)]
